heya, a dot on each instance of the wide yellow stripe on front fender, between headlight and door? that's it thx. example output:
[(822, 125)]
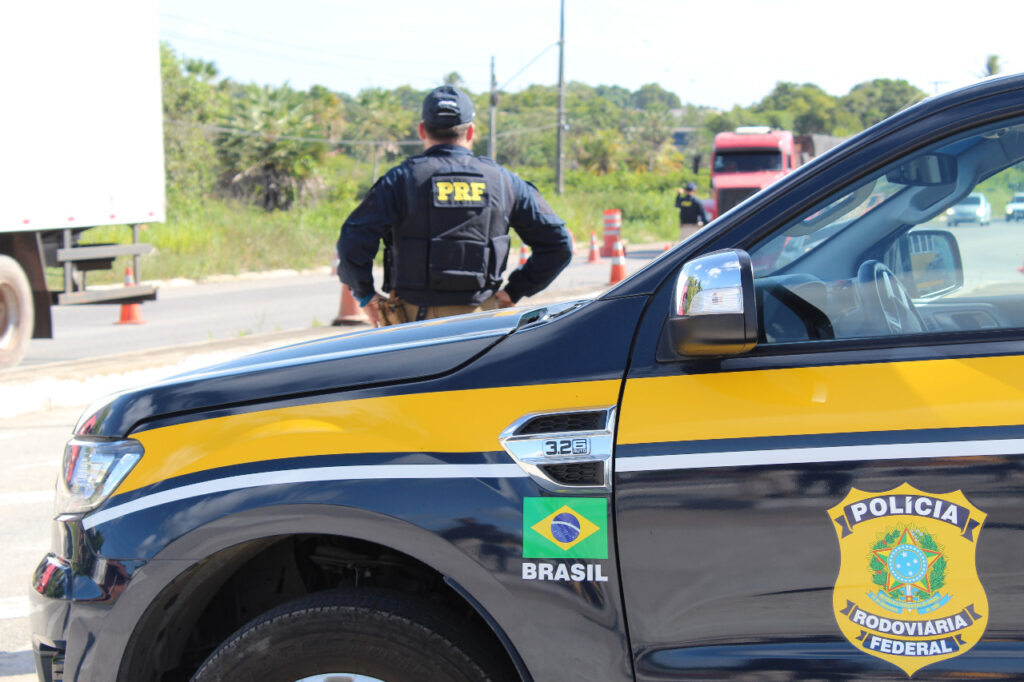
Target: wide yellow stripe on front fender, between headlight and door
[(465, 421)]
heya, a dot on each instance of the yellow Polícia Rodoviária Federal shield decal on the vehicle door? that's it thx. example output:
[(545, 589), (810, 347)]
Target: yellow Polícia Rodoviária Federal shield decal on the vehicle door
[(908, 590)]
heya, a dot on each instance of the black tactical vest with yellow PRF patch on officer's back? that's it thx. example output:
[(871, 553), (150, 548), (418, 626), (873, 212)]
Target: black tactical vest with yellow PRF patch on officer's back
[(454, 244)]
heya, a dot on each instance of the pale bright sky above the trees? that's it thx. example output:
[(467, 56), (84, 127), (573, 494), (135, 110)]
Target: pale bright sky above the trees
[(714, 54)]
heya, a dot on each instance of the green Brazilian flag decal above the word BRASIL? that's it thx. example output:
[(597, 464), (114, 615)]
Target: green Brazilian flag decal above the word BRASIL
[(566, 528)]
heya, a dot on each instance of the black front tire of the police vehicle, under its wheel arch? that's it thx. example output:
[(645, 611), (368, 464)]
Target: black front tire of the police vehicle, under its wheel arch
[(380, 634)]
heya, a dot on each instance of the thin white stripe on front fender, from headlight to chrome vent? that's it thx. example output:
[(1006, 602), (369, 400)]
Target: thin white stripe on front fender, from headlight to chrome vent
[(317, 476)]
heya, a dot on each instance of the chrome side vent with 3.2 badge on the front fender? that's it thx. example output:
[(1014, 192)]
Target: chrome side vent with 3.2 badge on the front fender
[(565, 452)]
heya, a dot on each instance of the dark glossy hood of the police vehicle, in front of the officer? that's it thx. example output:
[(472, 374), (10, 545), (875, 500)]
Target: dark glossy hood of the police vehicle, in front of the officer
[(372, 358)]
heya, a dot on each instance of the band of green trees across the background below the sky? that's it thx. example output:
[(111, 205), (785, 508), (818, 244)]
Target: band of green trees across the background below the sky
[(270, 145)]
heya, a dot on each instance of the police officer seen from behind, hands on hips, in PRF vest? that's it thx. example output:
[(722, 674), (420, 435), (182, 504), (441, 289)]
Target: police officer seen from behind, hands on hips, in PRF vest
[(444, 218)]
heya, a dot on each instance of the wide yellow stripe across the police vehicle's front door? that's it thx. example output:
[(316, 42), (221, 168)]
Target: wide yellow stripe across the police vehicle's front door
[(890, 397)]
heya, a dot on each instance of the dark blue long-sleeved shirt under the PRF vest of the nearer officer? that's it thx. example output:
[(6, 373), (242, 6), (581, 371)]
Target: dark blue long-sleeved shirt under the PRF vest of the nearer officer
[(385, 208)]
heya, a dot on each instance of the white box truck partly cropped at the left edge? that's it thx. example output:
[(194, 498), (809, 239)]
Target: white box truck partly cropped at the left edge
[(83, 147)]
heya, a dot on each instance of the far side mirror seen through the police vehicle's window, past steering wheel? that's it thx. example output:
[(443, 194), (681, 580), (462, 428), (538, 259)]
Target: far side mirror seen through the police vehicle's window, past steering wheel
[(928, 262)]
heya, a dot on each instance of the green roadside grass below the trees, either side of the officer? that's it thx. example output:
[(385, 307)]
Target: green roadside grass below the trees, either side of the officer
[(208, 236)]
